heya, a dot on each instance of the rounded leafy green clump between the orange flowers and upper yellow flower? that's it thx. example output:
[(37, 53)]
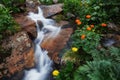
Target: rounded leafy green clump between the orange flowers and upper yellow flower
[(90, 42)]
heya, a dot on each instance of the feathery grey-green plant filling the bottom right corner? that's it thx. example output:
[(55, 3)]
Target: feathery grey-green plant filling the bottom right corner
[(105, 65)]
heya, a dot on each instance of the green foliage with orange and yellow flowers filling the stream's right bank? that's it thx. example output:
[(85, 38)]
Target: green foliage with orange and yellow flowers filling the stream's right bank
[(91, 60)]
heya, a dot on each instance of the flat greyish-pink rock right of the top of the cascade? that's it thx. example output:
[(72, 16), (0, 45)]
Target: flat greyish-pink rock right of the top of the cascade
[(51, 10)]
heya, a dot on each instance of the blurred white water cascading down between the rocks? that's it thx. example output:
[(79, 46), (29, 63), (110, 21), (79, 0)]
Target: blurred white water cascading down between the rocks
[(43, 65)]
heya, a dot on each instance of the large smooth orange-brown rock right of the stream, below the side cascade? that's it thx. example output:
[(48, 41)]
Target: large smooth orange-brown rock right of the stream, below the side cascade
[(54, 45)]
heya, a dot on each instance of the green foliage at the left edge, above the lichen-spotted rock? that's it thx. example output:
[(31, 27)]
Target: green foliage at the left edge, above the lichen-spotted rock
[(7, 26)]
